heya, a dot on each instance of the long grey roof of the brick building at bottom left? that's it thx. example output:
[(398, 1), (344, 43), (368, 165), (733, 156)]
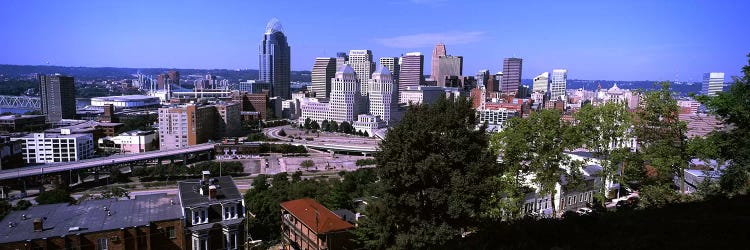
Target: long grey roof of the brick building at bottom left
[(89, 216)]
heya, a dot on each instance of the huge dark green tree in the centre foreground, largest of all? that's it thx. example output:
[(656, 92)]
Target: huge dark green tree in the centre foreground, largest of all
[(435, 172)]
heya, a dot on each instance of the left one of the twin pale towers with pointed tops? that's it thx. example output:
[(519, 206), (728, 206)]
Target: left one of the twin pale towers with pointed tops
[(345, 95)]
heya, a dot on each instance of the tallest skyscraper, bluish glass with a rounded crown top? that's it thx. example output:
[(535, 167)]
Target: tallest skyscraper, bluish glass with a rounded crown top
[(275, 60)]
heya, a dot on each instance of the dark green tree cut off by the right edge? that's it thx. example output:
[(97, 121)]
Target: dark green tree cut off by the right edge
[(733, 143)]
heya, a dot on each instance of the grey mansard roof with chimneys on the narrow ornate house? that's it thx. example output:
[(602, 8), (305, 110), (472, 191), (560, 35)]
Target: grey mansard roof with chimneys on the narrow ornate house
[(225, 190)]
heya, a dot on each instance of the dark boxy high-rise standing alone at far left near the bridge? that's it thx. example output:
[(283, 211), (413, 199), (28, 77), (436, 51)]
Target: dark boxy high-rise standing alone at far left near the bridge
[(58, 96)]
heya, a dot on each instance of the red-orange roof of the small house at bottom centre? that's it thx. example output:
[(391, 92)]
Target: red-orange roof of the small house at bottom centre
[(305, 210)]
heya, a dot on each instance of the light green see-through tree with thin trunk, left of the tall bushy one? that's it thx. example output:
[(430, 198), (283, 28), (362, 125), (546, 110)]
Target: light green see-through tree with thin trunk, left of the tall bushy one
[(603, 130)]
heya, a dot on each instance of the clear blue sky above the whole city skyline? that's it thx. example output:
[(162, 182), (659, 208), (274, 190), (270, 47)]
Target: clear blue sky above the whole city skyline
[(614, 40)]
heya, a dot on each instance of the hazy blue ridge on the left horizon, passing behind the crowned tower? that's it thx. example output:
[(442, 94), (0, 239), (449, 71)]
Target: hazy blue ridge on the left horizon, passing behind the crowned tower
[(111, 73)]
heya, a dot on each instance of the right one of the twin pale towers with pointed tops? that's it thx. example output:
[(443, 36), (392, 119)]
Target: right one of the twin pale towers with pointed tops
[(383, 97)]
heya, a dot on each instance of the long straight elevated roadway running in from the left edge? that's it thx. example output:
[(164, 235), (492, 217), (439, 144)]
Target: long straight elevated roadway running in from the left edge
[(96, 162)]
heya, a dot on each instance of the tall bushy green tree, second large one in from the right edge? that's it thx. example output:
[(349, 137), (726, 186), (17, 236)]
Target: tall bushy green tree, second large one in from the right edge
[(661, 136)]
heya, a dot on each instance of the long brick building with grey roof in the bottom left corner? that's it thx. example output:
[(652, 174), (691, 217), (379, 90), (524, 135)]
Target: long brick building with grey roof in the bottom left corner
[(146, 222)]
